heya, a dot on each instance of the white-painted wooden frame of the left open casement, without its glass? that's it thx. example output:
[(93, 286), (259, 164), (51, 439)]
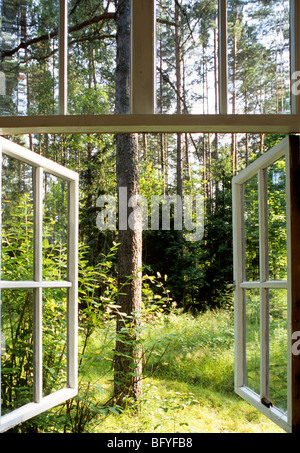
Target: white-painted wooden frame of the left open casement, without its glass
[(40, 403)]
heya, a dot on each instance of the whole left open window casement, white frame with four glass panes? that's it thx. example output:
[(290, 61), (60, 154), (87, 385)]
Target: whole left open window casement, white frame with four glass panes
[(39, 254)]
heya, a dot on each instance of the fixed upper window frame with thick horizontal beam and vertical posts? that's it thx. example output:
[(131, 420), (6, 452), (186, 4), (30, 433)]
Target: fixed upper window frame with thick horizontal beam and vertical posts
[(143, 75)]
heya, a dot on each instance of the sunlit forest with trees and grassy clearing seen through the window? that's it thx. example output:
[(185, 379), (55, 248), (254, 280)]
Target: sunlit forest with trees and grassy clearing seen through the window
[(169, 360)]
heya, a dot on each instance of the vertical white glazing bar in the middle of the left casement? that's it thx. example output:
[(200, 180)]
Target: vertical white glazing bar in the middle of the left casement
[(37, 292)]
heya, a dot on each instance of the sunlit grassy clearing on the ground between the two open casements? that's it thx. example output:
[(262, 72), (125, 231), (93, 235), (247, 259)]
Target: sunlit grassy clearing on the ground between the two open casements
[(191, 390)]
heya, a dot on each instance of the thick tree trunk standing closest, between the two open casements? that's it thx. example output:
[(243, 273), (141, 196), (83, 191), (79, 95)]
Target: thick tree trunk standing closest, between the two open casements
[(127, 361)]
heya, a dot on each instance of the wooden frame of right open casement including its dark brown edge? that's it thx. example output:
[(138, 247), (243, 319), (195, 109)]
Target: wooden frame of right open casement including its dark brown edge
[(290, 149)]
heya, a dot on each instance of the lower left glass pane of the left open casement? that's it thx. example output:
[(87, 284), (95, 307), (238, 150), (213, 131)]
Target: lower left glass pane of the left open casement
[(16, 349)]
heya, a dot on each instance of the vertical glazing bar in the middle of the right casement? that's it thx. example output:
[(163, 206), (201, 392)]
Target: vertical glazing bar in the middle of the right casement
[(264, 275)]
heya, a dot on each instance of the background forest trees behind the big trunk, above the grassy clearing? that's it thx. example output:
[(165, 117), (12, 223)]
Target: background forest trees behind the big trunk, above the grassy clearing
[(198, 273)]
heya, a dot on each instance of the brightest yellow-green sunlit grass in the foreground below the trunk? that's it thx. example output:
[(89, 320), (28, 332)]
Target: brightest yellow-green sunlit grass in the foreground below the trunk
[(213, 413)]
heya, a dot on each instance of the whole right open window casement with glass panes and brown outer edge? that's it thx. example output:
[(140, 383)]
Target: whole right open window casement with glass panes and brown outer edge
[(266, 256)]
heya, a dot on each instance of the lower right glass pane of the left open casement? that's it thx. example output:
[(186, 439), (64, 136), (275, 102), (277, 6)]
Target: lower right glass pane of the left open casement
[(54, 339)]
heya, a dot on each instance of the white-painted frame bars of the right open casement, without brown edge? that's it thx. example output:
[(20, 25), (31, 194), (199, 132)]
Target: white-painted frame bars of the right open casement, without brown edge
[(258, 168)]
